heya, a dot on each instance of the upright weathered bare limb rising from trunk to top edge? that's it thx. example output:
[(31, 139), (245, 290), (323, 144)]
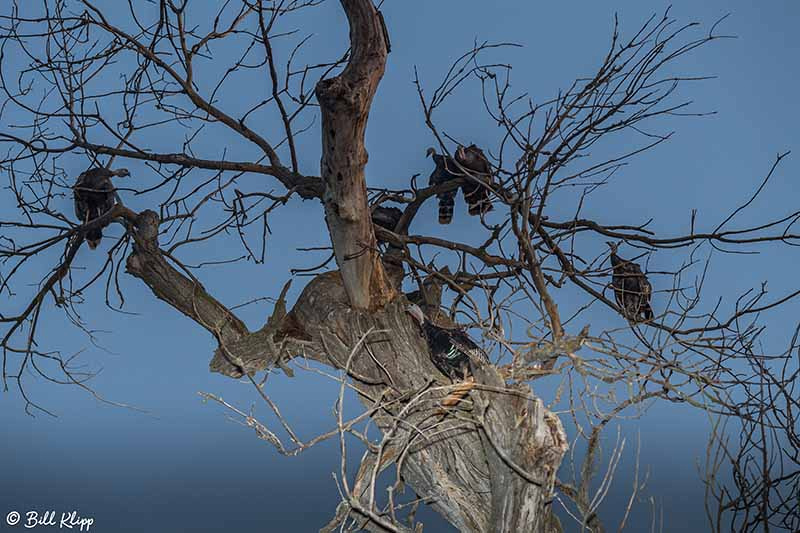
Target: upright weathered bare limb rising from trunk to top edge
[(345, 102)]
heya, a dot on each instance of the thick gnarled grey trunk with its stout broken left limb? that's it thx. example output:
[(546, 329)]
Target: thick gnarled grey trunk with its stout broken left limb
[(491, 469)]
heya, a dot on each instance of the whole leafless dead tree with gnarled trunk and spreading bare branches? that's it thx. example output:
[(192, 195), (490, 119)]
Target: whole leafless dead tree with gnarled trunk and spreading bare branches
[(153, 87)]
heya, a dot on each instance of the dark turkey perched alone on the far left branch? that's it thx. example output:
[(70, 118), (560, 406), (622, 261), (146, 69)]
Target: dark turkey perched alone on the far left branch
[(94, 196)]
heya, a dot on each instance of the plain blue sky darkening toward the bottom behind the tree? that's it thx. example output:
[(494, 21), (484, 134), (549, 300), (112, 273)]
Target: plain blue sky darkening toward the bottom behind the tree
[(183, 466)]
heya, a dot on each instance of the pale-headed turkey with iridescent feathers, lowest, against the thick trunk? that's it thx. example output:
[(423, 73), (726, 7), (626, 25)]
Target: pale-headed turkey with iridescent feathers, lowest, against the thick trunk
[(452, 351)]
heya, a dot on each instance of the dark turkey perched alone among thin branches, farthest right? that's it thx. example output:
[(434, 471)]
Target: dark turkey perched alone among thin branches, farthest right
[(631, 288)]
